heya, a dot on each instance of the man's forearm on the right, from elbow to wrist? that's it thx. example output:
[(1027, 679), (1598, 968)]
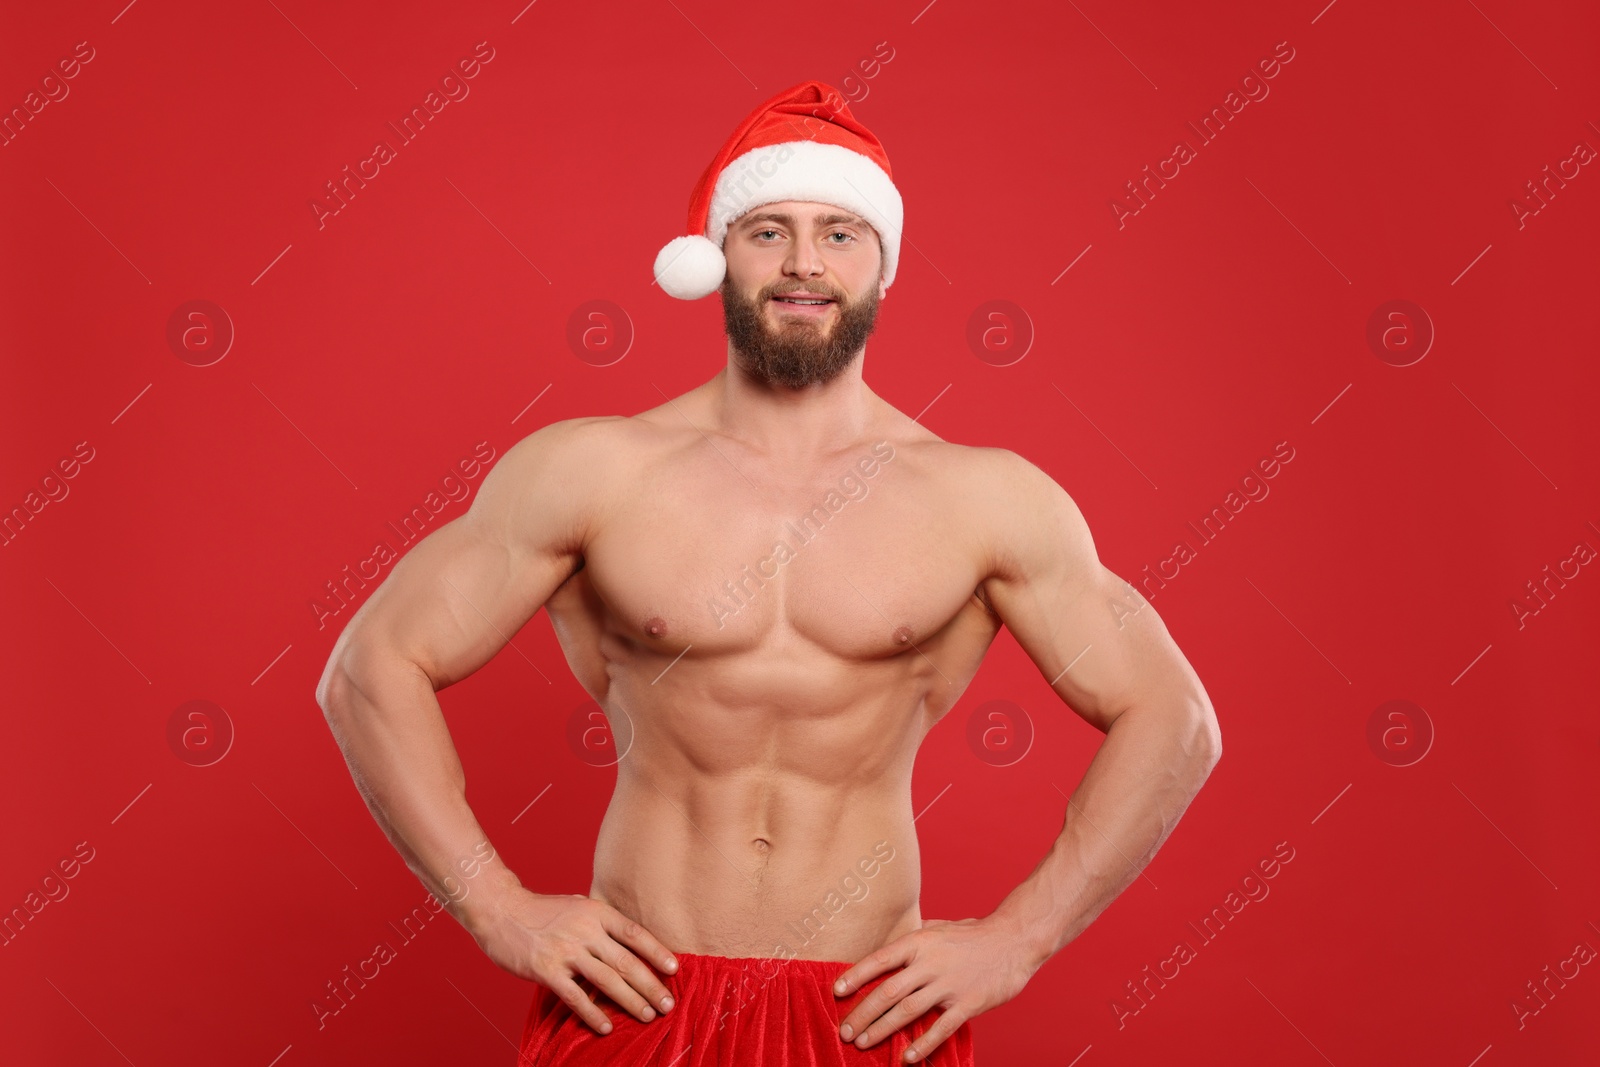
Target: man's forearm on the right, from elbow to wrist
[(1134, 793)]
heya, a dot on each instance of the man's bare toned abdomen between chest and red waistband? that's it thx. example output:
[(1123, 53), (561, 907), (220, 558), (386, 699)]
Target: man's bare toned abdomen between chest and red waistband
[(750, 826)]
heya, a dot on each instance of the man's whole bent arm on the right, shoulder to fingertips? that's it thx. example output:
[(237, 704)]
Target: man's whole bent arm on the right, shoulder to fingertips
[(1111, 660)]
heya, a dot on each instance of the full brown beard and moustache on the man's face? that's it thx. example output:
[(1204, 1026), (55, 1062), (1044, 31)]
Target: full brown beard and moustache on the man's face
[(798, 353)]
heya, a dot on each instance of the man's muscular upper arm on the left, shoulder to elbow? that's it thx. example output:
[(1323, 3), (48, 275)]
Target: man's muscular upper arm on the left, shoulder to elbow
[(458, 597)]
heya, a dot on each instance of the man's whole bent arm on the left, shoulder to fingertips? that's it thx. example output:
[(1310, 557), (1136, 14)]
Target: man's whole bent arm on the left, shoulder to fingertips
[(444, 612)]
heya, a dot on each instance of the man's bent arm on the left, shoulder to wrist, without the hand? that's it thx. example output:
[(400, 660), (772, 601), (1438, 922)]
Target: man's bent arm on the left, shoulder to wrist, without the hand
[(444, 612)]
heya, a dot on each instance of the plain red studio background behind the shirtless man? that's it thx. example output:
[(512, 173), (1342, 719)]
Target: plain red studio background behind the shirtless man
[(434, 308)]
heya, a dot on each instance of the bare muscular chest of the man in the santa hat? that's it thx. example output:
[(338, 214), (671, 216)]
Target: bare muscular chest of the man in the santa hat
[(857, 565)]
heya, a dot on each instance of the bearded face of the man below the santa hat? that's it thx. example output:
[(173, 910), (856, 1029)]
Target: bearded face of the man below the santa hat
[(817, 252)]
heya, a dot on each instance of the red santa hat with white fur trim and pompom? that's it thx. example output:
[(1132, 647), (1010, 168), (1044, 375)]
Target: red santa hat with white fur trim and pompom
[(802, 145)]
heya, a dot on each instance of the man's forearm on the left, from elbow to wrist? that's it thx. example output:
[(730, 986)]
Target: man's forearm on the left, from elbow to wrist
[(391, 729)]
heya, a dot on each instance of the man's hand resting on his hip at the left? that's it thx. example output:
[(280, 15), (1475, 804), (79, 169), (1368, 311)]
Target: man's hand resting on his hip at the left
[(561, 940)]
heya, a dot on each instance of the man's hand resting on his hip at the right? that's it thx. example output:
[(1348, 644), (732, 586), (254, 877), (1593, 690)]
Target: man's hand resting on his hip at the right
[(964, 969)]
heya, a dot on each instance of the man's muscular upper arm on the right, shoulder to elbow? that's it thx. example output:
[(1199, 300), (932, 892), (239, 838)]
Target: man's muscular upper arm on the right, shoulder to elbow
[(1092, 636)]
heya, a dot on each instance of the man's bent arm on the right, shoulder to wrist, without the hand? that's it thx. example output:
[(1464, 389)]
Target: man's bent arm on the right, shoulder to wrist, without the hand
[(1110, 657)]
